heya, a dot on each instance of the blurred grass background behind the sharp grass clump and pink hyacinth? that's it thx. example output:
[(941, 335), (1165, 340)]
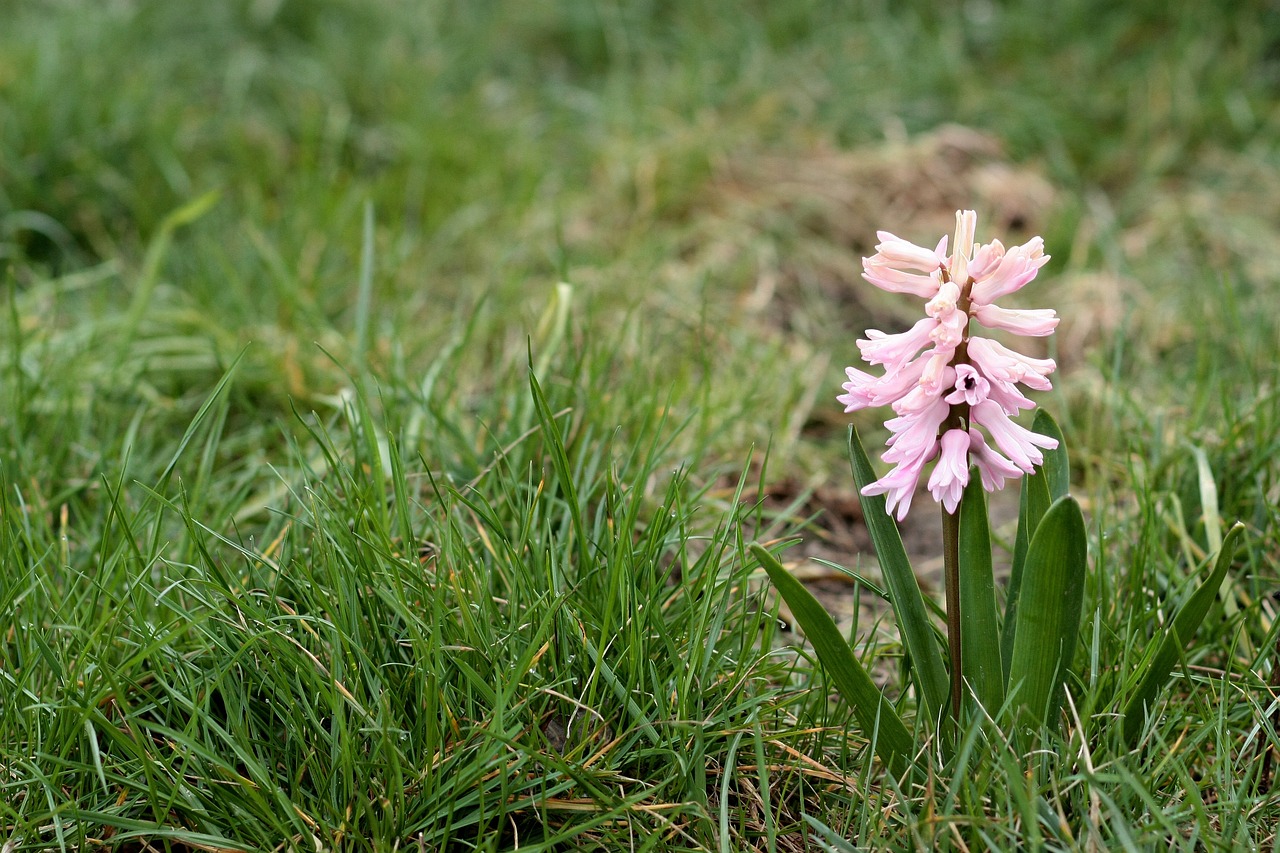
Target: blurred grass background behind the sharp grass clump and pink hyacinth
[(401, 188)]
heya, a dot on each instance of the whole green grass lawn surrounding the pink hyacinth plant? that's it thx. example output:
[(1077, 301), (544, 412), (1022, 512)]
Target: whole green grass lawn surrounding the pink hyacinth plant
[(332, 521)]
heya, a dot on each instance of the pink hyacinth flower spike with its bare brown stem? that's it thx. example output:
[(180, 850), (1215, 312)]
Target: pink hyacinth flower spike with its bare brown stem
[(949, 387)]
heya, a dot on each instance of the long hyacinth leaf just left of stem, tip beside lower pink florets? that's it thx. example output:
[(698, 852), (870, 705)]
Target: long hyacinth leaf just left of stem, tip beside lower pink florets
[(913, 619)]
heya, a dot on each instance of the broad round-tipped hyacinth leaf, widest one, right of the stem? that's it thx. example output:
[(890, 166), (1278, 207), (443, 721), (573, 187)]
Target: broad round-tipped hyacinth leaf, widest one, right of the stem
[(1049, 614)]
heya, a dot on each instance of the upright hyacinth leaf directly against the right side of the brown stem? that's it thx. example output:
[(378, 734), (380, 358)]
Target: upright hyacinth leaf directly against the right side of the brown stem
[(980, 627)]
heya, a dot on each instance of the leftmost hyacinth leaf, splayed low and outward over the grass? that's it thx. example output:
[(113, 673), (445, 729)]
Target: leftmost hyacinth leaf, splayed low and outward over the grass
[(875, 714)]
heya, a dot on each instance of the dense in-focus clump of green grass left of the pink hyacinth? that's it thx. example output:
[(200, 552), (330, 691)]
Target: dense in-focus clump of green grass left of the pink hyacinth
[(563, 642)]
